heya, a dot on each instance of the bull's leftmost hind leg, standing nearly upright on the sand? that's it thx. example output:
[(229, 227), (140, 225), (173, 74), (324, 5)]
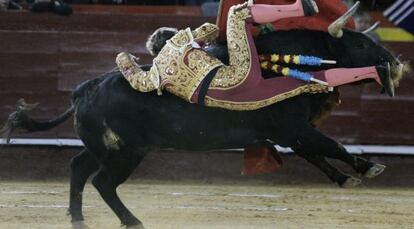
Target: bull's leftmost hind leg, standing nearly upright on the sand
[(82, 166)]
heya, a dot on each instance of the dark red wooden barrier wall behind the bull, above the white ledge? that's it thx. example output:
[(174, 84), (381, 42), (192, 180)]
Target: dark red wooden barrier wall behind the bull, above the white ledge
[(43, 57)]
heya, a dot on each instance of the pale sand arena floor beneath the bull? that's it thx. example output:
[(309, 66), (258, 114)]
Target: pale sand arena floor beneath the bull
[(198, 205)]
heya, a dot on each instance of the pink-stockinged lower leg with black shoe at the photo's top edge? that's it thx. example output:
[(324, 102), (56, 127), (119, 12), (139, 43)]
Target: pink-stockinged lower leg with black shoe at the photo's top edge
[(263, 13)]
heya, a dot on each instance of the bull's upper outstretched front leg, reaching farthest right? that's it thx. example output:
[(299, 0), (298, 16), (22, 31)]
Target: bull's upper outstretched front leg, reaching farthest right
[(313, 140)]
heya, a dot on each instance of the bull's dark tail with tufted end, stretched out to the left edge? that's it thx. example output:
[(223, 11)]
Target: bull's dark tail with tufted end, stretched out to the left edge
[(20, 120)]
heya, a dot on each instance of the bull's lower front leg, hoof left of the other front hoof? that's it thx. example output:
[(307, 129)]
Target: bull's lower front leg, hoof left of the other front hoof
[(318, 160)]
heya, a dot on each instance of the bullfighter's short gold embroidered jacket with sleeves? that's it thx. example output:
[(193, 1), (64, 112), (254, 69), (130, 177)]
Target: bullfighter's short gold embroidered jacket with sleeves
[(180, 66)]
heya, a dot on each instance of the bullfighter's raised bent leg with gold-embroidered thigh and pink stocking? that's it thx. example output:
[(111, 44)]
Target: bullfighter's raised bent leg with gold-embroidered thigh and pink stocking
[(244, 65)]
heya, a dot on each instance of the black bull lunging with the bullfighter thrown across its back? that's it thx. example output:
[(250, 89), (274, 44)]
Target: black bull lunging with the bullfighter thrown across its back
[(119, 126)]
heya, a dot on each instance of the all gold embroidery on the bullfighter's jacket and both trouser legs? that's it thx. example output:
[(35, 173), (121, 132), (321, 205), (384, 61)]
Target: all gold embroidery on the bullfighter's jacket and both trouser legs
[(181, 68)]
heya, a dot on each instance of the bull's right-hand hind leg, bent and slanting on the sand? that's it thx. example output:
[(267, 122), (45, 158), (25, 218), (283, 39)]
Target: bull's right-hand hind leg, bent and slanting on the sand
[(113, 173)]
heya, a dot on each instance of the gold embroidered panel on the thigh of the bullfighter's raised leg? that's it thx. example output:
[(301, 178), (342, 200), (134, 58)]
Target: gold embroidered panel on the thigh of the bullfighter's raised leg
[(231, 76)]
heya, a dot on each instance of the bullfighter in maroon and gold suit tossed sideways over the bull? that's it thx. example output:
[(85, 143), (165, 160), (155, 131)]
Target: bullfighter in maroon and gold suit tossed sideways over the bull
[(182, 65)]
